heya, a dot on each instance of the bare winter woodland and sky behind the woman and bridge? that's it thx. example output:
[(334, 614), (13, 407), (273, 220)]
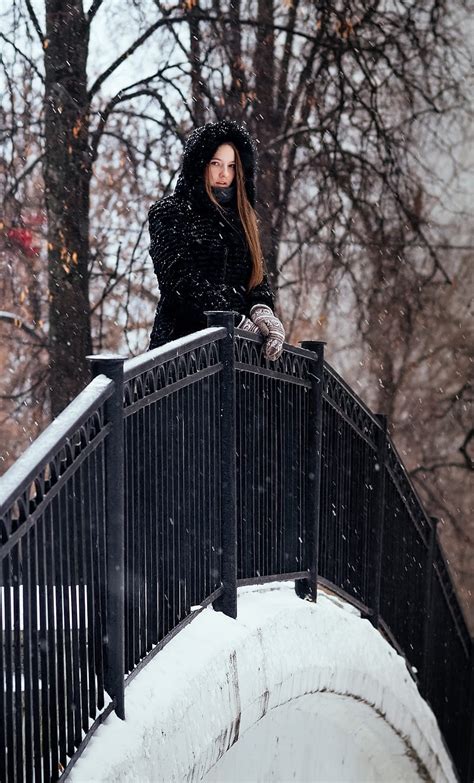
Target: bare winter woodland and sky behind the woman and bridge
[(362, 115)]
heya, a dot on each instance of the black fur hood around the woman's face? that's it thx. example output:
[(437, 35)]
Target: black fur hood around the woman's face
[(198, 151)]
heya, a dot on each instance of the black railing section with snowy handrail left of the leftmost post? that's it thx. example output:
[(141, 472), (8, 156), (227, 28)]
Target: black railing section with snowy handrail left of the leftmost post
[(53, 600)]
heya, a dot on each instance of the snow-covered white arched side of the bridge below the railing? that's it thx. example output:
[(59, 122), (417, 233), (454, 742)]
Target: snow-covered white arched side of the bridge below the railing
[(290, 691)]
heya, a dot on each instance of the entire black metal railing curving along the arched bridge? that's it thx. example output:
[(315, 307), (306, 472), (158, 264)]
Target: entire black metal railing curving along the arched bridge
[(172, 479)]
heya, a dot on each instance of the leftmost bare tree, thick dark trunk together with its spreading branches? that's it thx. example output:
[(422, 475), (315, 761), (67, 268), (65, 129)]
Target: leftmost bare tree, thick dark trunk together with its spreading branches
[(71, 121)]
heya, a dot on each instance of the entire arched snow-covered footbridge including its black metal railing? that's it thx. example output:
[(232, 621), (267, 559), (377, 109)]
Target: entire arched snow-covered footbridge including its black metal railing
[(167, 484)]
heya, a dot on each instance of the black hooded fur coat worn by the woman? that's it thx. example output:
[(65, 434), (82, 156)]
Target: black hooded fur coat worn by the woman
[(200, 254)]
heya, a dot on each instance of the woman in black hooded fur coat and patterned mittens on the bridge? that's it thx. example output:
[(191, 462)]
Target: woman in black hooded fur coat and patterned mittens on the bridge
[(205, 244)]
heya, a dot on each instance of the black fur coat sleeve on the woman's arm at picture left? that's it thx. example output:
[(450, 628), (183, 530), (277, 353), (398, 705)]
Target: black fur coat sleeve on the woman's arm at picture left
[(174, 266)]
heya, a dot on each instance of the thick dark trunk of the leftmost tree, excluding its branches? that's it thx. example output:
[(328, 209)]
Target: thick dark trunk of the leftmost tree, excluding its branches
[(67, 175)]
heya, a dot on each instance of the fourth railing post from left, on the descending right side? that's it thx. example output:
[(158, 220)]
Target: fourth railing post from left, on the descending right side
[(378, 515)]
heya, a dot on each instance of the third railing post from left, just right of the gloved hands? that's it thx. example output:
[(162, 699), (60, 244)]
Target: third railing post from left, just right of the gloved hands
[(309, 587)]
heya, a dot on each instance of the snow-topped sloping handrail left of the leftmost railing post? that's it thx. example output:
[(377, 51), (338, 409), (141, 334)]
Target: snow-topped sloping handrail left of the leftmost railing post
[(38, 454)]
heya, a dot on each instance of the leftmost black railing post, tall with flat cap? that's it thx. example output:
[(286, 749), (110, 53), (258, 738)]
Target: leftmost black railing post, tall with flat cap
[(114, 647)]
